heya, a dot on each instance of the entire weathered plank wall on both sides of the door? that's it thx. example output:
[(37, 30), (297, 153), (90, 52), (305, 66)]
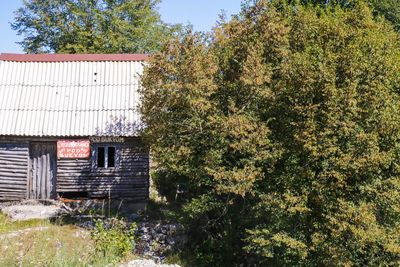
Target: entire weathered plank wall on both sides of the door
[(129, 181)]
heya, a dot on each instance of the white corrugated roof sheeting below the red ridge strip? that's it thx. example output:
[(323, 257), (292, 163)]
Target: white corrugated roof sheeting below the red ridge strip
[(69, 98)]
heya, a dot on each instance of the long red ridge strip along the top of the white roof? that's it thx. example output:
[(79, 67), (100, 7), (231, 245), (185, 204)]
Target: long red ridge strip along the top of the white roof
[(72, 57)]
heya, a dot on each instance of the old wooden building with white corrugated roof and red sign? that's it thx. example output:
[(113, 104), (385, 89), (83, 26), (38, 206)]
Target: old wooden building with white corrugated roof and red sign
[(69, 127)]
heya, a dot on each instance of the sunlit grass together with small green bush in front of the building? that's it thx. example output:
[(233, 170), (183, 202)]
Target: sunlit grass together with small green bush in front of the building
[(43, 243)]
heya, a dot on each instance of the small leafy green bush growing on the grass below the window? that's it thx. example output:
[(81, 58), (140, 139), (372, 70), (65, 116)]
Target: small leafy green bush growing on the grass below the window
[(113, 239)]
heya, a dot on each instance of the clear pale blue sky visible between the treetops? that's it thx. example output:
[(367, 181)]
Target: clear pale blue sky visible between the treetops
[(202, 14)]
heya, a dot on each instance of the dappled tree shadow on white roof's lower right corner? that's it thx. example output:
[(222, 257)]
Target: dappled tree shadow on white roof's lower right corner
[(119, 126)]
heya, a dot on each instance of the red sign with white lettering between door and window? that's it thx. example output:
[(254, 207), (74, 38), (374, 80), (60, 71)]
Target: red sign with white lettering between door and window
[(73, 149)]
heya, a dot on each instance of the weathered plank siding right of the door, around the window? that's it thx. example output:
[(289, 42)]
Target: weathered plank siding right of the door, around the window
[(130, 180)]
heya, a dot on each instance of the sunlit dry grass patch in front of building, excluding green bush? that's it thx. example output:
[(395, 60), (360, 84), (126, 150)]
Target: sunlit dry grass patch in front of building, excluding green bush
[(51, 244)]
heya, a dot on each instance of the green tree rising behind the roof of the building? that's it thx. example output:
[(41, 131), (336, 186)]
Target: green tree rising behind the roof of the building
[(91, 26)]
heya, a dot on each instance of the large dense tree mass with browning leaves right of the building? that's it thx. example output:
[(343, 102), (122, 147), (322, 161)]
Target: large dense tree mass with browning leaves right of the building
[(283, 127)]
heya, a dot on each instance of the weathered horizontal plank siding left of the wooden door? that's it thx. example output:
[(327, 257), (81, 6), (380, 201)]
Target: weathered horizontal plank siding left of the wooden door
[(14, 160)]
